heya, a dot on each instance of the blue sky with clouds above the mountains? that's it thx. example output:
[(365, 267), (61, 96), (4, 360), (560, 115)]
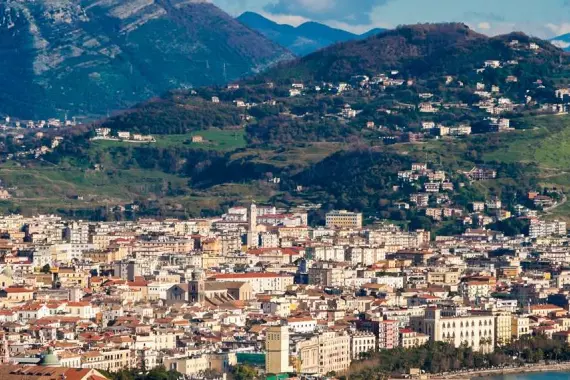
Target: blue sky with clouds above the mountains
[(540, 18)]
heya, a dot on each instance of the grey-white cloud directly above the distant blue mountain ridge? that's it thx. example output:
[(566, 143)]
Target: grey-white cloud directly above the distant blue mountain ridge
[(352, 12)]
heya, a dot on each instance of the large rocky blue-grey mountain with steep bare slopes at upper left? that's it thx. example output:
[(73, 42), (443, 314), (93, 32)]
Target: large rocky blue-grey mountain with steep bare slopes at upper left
[(89, 57)]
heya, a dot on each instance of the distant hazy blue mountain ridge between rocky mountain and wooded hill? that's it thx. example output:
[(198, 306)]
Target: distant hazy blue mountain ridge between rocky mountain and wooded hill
[(303, 39)]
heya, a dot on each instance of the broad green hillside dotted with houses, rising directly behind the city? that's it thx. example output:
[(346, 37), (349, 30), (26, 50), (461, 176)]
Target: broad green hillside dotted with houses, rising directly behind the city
[(217, 146)]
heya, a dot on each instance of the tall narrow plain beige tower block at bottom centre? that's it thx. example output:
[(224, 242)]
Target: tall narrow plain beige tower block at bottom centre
[(277, 347)]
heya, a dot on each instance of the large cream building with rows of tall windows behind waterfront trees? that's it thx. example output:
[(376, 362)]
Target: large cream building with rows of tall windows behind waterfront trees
[(477, 331)]
